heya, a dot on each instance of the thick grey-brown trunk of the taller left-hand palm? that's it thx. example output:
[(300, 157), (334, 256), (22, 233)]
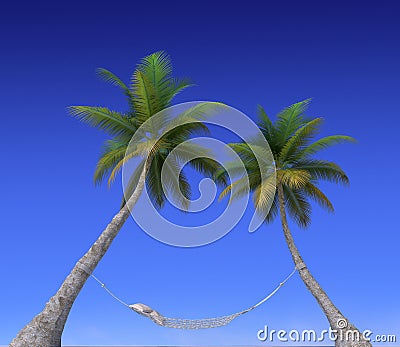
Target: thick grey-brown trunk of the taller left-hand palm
[(45, 329)]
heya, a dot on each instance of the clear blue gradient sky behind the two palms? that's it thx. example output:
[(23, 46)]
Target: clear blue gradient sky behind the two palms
[(342, 54)]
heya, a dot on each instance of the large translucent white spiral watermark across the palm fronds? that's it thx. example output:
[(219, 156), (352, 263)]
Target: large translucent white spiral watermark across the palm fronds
[(147, 144)]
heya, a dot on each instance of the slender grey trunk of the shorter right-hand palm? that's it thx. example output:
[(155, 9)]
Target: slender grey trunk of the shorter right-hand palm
[(346, 336)]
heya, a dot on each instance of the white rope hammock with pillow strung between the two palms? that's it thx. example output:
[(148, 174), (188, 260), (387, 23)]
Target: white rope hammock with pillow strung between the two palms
[(179, 323)]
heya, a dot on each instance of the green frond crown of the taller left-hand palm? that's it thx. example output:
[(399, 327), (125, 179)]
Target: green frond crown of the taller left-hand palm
[(151, 89)]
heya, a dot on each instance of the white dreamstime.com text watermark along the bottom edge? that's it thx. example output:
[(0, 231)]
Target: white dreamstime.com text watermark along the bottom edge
[(343, 332)]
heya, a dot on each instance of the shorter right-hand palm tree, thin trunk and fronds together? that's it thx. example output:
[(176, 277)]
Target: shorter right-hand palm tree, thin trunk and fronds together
[(298, 173)]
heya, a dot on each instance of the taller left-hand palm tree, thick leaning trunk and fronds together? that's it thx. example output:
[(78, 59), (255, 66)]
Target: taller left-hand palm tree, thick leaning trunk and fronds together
[(151, 90)]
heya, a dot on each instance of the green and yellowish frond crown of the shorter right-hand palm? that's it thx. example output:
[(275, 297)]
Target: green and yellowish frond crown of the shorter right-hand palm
[(291, 142)]
